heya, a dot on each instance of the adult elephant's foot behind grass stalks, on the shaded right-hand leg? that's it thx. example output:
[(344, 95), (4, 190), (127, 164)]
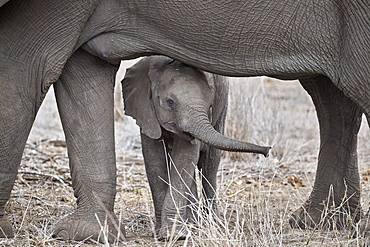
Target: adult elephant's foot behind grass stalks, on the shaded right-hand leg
[(310, 216)]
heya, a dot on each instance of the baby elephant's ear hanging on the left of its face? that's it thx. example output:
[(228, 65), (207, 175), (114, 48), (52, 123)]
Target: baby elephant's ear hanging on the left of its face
[(137, 98)]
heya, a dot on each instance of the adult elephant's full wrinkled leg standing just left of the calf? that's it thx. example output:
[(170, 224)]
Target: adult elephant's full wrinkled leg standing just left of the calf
[(85, 101)]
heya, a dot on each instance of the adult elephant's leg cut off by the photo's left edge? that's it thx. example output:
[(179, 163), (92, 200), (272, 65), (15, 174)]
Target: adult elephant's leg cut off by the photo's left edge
[(20, 99)]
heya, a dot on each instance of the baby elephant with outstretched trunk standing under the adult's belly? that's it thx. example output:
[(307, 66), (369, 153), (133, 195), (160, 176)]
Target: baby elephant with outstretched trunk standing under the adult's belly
[(175, 105)]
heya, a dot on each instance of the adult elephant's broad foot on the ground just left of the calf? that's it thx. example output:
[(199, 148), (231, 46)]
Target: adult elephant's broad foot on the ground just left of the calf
[(99, 226)]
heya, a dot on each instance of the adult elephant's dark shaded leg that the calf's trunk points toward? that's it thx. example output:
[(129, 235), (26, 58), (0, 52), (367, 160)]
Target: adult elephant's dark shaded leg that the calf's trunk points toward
[(337, 180)]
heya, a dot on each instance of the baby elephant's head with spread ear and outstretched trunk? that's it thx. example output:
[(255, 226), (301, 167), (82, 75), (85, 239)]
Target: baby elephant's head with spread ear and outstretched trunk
[(160, 92)]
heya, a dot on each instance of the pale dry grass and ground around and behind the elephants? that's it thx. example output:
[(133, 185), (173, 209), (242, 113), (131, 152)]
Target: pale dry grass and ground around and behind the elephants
[(256, 195)]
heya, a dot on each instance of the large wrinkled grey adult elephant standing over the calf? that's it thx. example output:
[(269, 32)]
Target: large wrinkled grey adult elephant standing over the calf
[(78, 44)]
